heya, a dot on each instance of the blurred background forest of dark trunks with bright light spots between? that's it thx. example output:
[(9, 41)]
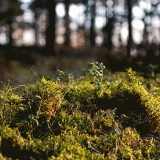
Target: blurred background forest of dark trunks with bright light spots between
[(120, 33)]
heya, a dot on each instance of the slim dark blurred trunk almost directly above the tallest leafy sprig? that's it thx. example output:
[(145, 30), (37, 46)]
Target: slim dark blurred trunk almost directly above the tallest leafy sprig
[(92, 27)]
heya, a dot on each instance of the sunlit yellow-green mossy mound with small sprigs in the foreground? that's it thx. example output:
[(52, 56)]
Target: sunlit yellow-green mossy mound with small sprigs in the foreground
[(100, 115)]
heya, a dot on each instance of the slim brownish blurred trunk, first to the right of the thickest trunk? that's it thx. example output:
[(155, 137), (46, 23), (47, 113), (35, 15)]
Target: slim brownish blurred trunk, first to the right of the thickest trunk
[(67, 22)]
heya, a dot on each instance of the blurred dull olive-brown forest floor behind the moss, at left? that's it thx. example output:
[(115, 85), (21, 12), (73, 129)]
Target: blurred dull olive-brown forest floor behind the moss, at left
[(17, 72)]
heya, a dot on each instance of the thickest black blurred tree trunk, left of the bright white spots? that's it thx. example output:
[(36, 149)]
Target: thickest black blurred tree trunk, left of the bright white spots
[(50, 31)]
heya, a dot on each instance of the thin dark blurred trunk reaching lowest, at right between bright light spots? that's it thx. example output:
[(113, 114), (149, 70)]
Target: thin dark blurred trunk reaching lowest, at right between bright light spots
[(129, 6)]
